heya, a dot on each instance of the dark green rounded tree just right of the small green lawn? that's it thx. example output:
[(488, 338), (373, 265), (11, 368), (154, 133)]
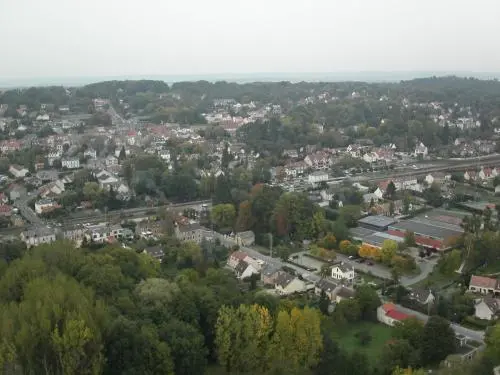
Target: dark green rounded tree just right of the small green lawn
[(438, 340)]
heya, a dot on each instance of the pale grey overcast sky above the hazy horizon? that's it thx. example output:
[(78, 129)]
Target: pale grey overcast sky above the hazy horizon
[(56, 38)]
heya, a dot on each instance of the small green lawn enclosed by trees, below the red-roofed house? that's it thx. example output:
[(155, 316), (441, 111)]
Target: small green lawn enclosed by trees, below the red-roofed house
[(346, 337)]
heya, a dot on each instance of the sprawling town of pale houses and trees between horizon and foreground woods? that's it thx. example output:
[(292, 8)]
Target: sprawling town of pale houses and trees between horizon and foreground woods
[(377, 204)]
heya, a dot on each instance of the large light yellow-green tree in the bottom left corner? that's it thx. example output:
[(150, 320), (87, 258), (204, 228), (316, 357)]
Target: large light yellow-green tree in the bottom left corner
[(42, 335)]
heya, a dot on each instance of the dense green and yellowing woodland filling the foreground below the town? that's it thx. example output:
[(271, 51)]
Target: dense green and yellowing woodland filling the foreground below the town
[(110, 310)]
